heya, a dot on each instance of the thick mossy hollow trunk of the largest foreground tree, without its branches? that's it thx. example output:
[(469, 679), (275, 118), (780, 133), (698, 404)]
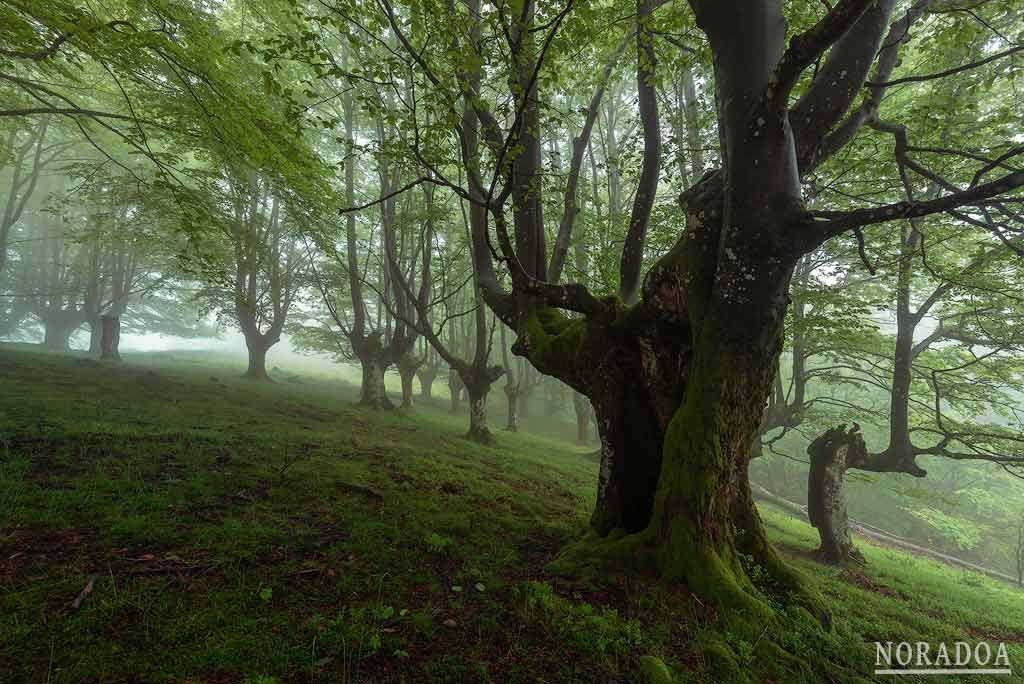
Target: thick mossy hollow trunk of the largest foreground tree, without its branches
[(679, 383)]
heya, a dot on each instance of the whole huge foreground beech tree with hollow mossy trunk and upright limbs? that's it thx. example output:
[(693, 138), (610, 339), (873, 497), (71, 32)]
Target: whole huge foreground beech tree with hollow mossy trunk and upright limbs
[(680, 364)]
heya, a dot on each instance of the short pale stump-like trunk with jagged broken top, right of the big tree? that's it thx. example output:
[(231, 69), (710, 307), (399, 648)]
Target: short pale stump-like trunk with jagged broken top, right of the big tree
[(831, 455)]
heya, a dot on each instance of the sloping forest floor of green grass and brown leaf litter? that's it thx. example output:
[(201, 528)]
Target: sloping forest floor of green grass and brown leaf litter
[(216, 531)]
